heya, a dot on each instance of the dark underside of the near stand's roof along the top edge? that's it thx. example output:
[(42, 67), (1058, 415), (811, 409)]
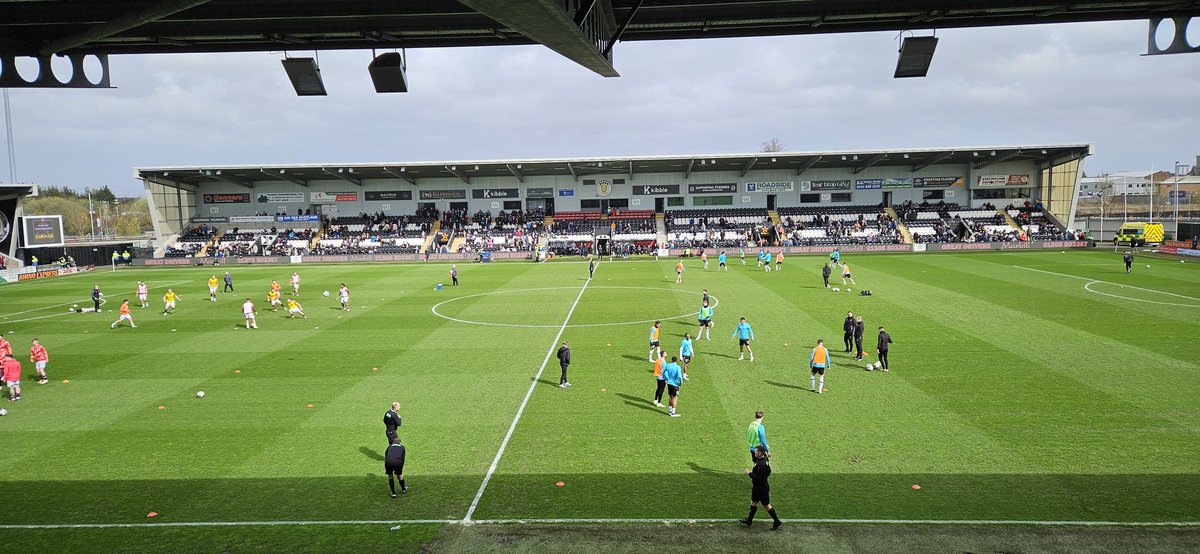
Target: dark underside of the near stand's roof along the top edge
[(583, 31)]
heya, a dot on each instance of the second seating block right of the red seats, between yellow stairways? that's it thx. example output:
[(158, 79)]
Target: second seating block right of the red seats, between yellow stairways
[(823, 226)]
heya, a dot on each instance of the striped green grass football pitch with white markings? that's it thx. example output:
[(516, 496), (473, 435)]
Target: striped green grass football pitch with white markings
[(1027, 390)]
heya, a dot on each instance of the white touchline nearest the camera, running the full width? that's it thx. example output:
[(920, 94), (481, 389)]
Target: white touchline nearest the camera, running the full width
[(400, 523)]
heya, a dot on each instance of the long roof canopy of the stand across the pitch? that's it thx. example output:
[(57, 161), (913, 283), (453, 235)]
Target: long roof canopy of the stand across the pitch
[(911, 160)]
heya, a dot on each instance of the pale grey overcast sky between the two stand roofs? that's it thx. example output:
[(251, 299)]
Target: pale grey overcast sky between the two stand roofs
[(987, 87)]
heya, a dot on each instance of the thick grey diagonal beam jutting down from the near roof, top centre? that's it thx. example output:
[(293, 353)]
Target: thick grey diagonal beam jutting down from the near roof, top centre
[(548, 23)]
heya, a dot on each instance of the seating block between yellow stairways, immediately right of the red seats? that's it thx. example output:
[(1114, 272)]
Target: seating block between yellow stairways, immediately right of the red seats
[(729, 228)]
